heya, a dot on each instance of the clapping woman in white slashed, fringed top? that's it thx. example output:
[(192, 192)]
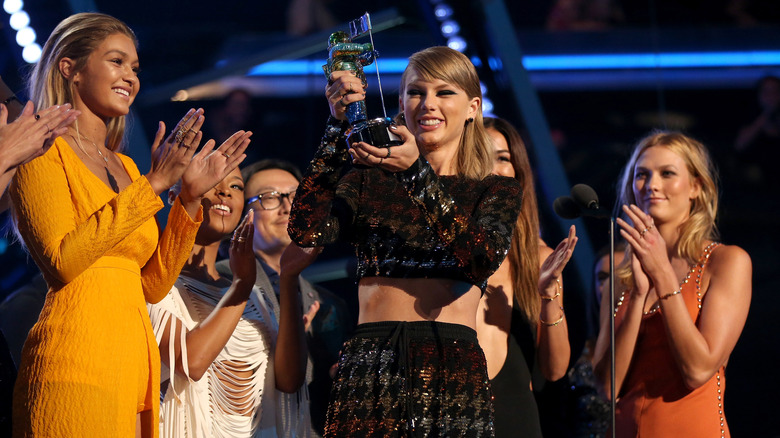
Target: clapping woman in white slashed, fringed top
[(231, 366)]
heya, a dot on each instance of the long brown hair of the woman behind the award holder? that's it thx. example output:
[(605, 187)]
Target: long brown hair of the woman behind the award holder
[(524, 251)]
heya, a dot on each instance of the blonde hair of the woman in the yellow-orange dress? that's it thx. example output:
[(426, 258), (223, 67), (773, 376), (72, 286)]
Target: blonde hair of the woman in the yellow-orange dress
[(76, 37)]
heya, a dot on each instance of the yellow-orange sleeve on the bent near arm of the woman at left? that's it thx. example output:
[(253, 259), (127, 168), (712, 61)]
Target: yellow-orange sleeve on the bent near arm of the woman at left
[(46, 217)]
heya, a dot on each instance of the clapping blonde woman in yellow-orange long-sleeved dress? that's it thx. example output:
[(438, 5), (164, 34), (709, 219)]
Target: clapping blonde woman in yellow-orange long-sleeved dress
[(90, 366)]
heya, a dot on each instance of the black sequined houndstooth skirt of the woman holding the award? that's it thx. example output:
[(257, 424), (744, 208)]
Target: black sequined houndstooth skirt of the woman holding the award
[(421, 379)]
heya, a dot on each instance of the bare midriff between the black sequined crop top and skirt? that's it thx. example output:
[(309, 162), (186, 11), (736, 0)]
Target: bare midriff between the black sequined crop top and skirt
[(418, 299)]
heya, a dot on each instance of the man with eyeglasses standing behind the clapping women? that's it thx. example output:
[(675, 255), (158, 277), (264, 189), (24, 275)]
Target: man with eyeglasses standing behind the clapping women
[(269, 189)]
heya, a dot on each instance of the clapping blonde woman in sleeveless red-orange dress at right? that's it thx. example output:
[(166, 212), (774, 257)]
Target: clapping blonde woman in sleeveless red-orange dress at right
[(684, 298)]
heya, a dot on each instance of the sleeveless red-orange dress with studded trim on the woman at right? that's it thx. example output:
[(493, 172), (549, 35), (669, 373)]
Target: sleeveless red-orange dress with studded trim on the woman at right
[(654, 401)]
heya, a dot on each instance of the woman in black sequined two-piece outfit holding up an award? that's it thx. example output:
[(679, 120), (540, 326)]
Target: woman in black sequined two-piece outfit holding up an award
[(429, 224)]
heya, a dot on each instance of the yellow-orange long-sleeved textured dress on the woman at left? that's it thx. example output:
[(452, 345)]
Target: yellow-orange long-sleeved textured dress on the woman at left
[(91, 362)]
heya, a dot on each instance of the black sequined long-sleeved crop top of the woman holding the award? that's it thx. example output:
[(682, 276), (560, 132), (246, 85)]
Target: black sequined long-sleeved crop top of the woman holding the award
[(409, 224)]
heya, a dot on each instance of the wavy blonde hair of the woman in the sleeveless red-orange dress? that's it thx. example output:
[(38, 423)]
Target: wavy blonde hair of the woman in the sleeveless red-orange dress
[(700, 224)]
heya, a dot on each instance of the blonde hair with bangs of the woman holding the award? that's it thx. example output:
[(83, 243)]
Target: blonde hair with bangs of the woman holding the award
[(474, 157)]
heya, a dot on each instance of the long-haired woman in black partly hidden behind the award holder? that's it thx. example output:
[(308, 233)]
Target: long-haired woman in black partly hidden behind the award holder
[(520, 319)]
